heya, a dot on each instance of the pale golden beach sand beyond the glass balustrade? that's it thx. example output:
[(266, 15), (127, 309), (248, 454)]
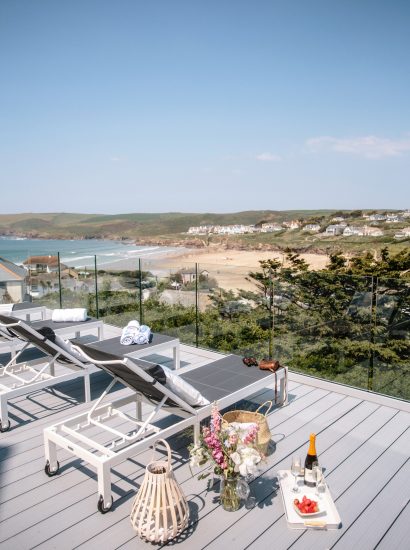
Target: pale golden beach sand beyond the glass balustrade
[(229, 267)]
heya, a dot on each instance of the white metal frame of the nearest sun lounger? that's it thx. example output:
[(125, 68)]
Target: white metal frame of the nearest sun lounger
[(68, 433)]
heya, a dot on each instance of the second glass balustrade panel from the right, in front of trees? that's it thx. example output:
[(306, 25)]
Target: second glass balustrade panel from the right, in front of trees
[(322, 325)]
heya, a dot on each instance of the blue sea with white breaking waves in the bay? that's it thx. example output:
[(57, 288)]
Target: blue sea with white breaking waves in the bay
[(80, 253)]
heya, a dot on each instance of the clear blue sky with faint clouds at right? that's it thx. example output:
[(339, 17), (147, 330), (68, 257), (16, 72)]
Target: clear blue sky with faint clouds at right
[(218, 105)]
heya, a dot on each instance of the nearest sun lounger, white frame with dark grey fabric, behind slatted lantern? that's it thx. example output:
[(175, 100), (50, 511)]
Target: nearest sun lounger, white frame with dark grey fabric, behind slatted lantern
[(225, 381)]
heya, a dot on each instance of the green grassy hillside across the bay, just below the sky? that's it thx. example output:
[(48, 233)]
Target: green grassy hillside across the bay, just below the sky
[(171, 227)]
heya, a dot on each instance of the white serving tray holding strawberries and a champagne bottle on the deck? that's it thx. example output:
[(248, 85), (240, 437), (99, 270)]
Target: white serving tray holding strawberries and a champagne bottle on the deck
[(328, 518)]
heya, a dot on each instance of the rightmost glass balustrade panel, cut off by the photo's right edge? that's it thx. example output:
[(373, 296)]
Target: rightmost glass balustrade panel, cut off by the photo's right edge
[(390, 359)]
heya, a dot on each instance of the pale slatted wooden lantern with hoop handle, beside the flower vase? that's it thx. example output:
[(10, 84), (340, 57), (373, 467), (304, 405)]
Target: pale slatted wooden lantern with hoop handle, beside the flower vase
[(160, 511)]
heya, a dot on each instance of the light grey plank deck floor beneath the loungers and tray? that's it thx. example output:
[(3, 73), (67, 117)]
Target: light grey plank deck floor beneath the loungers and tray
[(363, 442)]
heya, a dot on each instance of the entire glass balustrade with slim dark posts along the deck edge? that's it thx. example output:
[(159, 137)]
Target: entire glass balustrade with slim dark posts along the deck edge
[(348, 329)]
